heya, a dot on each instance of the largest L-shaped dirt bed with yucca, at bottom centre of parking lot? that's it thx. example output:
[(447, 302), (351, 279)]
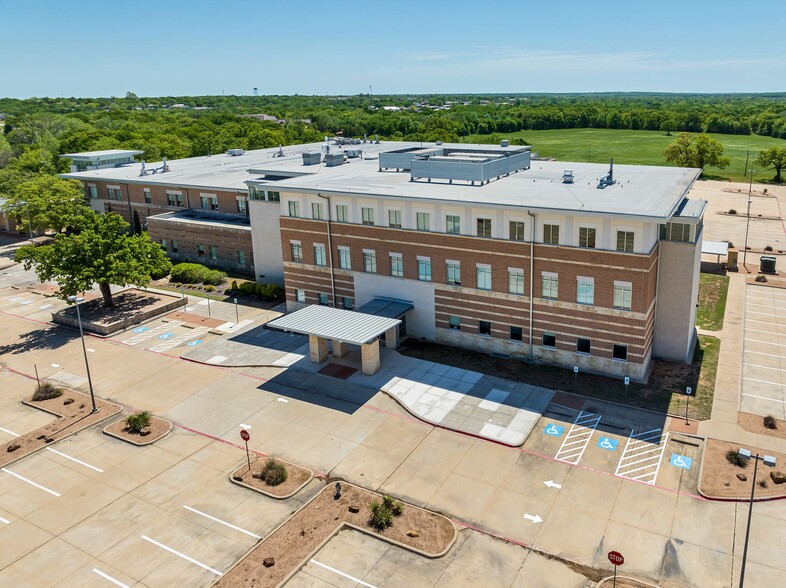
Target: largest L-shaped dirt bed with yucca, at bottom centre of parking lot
[(296, 540)]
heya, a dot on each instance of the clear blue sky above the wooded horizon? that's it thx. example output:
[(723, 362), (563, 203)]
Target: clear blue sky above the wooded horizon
[(175, 47)]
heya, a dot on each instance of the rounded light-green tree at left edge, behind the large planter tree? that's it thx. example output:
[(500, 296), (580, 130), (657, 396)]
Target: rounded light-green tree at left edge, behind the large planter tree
[(49, 202)]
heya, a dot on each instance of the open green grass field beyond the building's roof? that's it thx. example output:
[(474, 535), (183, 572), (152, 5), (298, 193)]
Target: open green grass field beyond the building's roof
[(639, 147)]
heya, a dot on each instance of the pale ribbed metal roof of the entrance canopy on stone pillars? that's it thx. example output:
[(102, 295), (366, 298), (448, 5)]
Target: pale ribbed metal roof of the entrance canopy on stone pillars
[(347, 326)]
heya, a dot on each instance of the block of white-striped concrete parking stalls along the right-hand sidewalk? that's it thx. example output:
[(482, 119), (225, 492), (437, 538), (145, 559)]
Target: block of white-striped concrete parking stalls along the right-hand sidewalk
[(763, 384)]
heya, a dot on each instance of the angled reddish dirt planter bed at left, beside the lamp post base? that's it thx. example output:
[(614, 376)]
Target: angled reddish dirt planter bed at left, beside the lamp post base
[(73, 412)]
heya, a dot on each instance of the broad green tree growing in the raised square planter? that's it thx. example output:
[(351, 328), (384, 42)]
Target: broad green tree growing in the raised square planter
[(99, 251)]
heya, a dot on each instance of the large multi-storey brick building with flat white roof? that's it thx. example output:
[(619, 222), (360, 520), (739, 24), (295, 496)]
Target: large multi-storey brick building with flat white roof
[(590, 266)]
